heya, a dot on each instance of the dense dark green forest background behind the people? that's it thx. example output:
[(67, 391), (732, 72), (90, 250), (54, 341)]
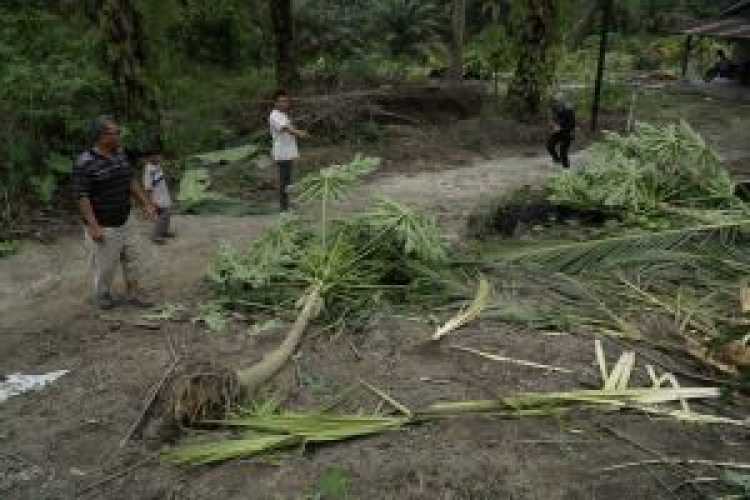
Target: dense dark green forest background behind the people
[(189, 71)]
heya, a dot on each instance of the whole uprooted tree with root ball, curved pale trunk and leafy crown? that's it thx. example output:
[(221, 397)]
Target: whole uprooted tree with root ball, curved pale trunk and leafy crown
[(338, 270)]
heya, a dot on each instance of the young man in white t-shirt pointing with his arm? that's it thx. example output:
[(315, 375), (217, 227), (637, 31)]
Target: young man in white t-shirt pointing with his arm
[(284, 137)]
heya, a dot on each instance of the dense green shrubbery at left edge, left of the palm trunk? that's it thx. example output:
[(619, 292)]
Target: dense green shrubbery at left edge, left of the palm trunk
[(49, 90)]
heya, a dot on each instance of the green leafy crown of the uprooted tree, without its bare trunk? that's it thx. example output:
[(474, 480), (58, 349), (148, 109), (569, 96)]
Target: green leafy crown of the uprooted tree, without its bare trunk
[(387, 252)]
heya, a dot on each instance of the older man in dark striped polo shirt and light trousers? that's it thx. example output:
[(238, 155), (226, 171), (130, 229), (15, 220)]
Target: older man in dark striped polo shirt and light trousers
[(103, 184)]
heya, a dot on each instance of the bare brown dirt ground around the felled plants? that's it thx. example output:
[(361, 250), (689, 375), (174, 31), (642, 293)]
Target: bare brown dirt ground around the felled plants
[(64, 441)]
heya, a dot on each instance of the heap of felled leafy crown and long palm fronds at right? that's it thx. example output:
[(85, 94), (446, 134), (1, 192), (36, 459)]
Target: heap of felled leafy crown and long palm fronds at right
[(669, 266)]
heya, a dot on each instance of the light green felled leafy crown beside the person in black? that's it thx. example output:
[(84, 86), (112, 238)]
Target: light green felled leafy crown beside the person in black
[(646, 172)]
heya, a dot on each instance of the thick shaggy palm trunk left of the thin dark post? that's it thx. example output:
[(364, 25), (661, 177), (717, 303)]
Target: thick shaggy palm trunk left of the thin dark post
[(535, 70)]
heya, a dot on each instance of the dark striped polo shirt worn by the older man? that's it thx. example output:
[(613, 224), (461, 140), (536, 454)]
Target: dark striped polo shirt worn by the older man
[(106, 183)]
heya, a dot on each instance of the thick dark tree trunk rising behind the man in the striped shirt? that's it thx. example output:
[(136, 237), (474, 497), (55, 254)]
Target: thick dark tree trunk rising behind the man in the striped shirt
[(121, 27)]
